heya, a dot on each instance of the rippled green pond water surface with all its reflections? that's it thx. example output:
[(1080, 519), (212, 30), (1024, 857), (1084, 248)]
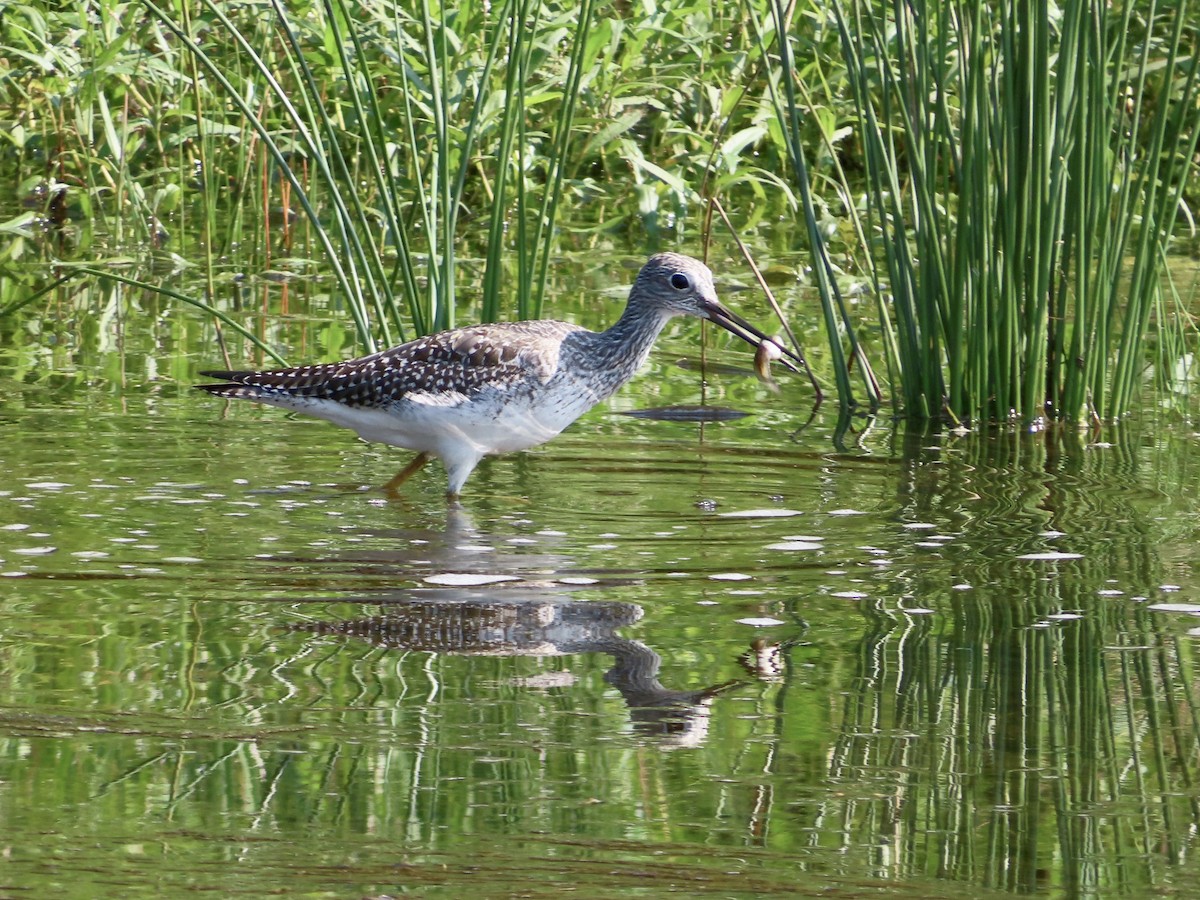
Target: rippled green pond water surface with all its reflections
[(715, 657)]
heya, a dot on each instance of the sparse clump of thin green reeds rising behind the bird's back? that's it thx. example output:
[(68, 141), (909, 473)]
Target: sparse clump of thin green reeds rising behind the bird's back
[(377, 143)]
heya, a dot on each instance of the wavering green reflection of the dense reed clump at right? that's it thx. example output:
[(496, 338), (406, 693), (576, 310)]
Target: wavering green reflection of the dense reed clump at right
[(1037, 700)]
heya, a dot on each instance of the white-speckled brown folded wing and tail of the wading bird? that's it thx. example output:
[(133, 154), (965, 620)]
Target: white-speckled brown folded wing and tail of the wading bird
[(463, 362)]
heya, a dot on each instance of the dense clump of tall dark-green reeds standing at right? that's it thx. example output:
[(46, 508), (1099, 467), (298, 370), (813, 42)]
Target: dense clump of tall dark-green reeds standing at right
[(1025, 167)]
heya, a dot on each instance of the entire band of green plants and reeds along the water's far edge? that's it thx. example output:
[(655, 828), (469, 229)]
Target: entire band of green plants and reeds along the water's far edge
[(1001, 181)]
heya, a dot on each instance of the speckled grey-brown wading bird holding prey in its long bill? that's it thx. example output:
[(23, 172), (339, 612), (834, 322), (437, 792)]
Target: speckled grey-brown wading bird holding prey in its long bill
[(478, 391)]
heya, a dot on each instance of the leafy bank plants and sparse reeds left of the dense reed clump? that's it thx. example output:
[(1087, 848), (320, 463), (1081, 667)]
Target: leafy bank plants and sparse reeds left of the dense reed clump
[(394, 131)]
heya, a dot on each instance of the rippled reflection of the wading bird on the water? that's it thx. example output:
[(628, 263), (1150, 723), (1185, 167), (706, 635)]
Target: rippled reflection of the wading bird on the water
[(523, 619)]
